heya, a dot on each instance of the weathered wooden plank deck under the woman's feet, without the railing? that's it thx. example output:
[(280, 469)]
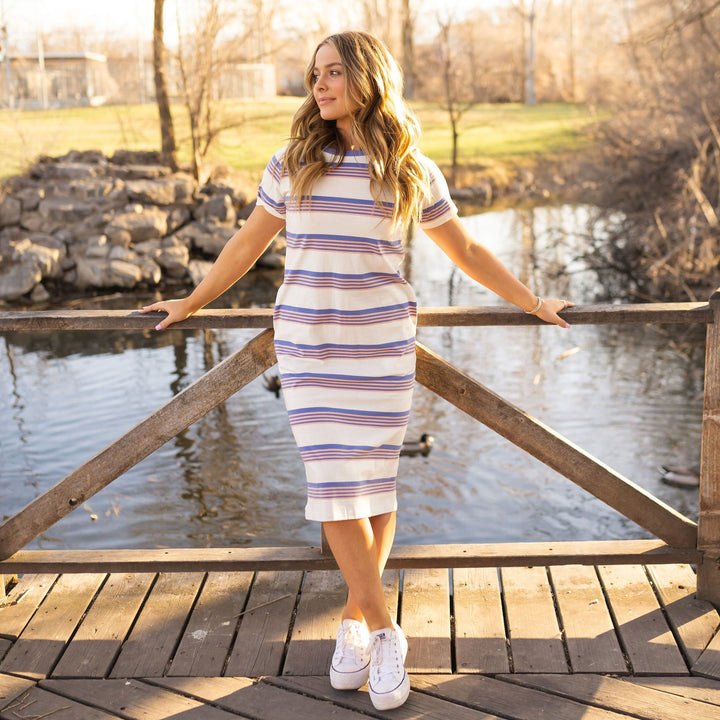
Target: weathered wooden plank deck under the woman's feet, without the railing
[(562, 642)]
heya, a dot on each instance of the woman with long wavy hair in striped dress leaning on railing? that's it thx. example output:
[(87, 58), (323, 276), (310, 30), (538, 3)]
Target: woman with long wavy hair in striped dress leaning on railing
[(347, 188)]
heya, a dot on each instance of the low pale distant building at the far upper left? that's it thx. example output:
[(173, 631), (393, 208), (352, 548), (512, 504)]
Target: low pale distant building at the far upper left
[(57, 79)]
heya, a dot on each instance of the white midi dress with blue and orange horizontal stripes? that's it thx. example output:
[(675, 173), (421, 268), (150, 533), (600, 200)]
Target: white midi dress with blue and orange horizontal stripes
[(344, 324)]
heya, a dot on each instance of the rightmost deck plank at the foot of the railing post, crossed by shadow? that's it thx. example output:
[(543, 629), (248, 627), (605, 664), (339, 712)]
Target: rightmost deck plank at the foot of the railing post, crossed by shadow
[(693, 620)]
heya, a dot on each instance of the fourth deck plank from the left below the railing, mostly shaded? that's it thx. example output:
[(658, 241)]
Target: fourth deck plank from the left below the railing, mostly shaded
[(158, 627)]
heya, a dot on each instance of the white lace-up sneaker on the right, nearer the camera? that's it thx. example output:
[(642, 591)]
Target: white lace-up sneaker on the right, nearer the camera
[(389, 683)]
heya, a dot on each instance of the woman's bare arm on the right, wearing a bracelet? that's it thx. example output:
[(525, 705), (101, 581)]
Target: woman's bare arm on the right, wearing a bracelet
[(485, 267)]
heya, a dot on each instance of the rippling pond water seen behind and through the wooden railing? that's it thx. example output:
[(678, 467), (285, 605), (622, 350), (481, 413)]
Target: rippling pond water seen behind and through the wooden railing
[(631, 396)]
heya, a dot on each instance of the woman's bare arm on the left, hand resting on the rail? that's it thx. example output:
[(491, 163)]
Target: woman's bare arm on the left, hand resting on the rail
[(236, 258)]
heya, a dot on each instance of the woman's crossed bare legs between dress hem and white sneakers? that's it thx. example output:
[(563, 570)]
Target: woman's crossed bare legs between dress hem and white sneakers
[(361, 548)]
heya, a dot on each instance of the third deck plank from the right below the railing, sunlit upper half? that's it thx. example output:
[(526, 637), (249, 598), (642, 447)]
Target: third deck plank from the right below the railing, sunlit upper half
[(589, 632)]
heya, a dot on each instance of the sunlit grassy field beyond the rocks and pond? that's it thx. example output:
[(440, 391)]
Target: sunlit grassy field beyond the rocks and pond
[(490, 134)]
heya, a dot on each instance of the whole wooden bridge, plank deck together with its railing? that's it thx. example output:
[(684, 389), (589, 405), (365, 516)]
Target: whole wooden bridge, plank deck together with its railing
[(610, 629)]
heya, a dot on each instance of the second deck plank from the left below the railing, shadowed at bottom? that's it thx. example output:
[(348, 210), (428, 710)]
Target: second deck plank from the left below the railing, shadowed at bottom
[(43, 640)]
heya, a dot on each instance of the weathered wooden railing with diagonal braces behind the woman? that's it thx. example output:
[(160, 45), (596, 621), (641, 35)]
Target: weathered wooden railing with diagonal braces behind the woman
[(680, 539)]
